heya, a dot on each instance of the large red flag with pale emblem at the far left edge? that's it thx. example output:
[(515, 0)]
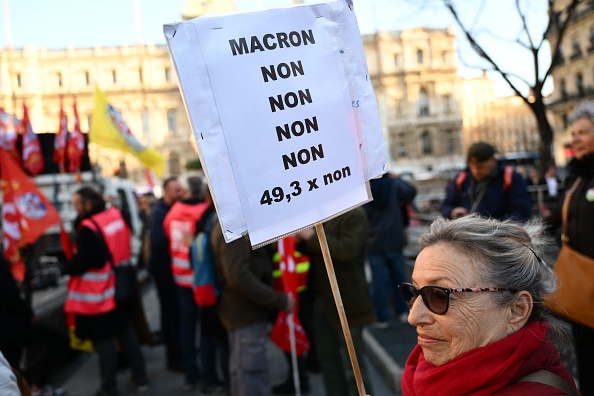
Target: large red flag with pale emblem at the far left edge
[(26, 212)]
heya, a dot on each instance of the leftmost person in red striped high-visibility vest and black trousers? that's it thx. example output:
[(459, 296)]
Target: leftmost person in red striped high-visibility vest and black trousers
[(103, 242)]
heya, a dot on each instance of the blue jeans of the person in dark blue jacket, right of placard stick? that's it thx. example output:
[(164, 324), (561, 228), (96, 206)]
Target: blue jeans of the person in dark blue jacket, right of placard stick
[(387, 271)]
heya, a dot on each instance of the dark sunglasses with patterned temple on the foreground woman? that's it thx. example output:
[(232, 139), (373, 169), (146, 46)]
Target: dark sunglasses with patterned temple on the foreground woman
[(436, 298)]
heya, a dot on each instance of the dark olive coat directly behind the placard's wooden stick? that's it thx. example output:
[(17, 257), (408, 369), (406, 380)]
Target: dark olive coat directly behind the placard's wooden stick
[(347, 239)]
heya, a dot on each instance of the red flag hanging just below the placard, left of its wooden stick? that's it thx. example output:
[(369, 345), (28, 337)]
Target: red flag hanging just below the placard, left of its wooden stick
[(280, 332)]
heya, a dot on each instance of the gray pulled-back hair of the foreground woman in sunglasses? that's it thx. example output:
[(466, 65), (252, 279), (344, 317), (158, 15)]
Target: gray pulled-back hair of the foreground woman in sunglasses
[(507, 254)]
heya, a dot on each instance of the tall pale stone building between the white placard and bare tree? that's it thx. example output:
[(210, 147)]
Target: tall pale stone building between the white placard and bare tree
[(414, 75)]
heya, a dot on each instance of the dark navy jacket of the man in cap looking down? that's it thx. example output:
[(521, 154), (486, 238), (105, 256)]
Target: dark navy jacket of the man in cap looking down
[(513, 203)]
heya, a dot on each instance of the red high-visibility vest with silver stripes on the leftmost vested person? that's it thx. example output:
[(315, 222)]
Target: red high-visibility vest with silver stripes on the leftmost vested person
[(92, 293)]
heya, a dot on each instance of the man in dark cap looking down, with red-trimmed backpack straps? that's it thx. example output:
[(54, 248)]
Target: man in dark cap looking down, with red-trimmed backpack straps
[(488, 188)]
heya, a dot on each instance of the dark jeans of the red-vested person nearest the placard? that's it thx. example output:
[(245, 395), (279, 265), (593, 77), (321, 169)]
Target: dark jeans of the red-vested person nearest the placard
[(189, 315)]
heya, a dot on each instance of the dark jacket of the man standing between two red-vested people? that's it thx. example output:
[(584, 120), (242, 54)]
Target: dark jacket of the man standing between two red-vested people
[(160, 260)]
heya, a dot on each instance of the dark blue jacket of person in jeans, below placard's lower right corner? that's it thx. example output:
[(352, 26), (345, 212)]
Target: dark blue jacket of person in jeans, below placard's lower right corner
[(386, 225)]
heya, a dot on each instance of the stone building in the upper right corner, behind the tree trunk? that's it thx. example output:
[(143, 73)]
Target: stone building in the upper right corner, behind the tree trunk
[(573, 72)]
